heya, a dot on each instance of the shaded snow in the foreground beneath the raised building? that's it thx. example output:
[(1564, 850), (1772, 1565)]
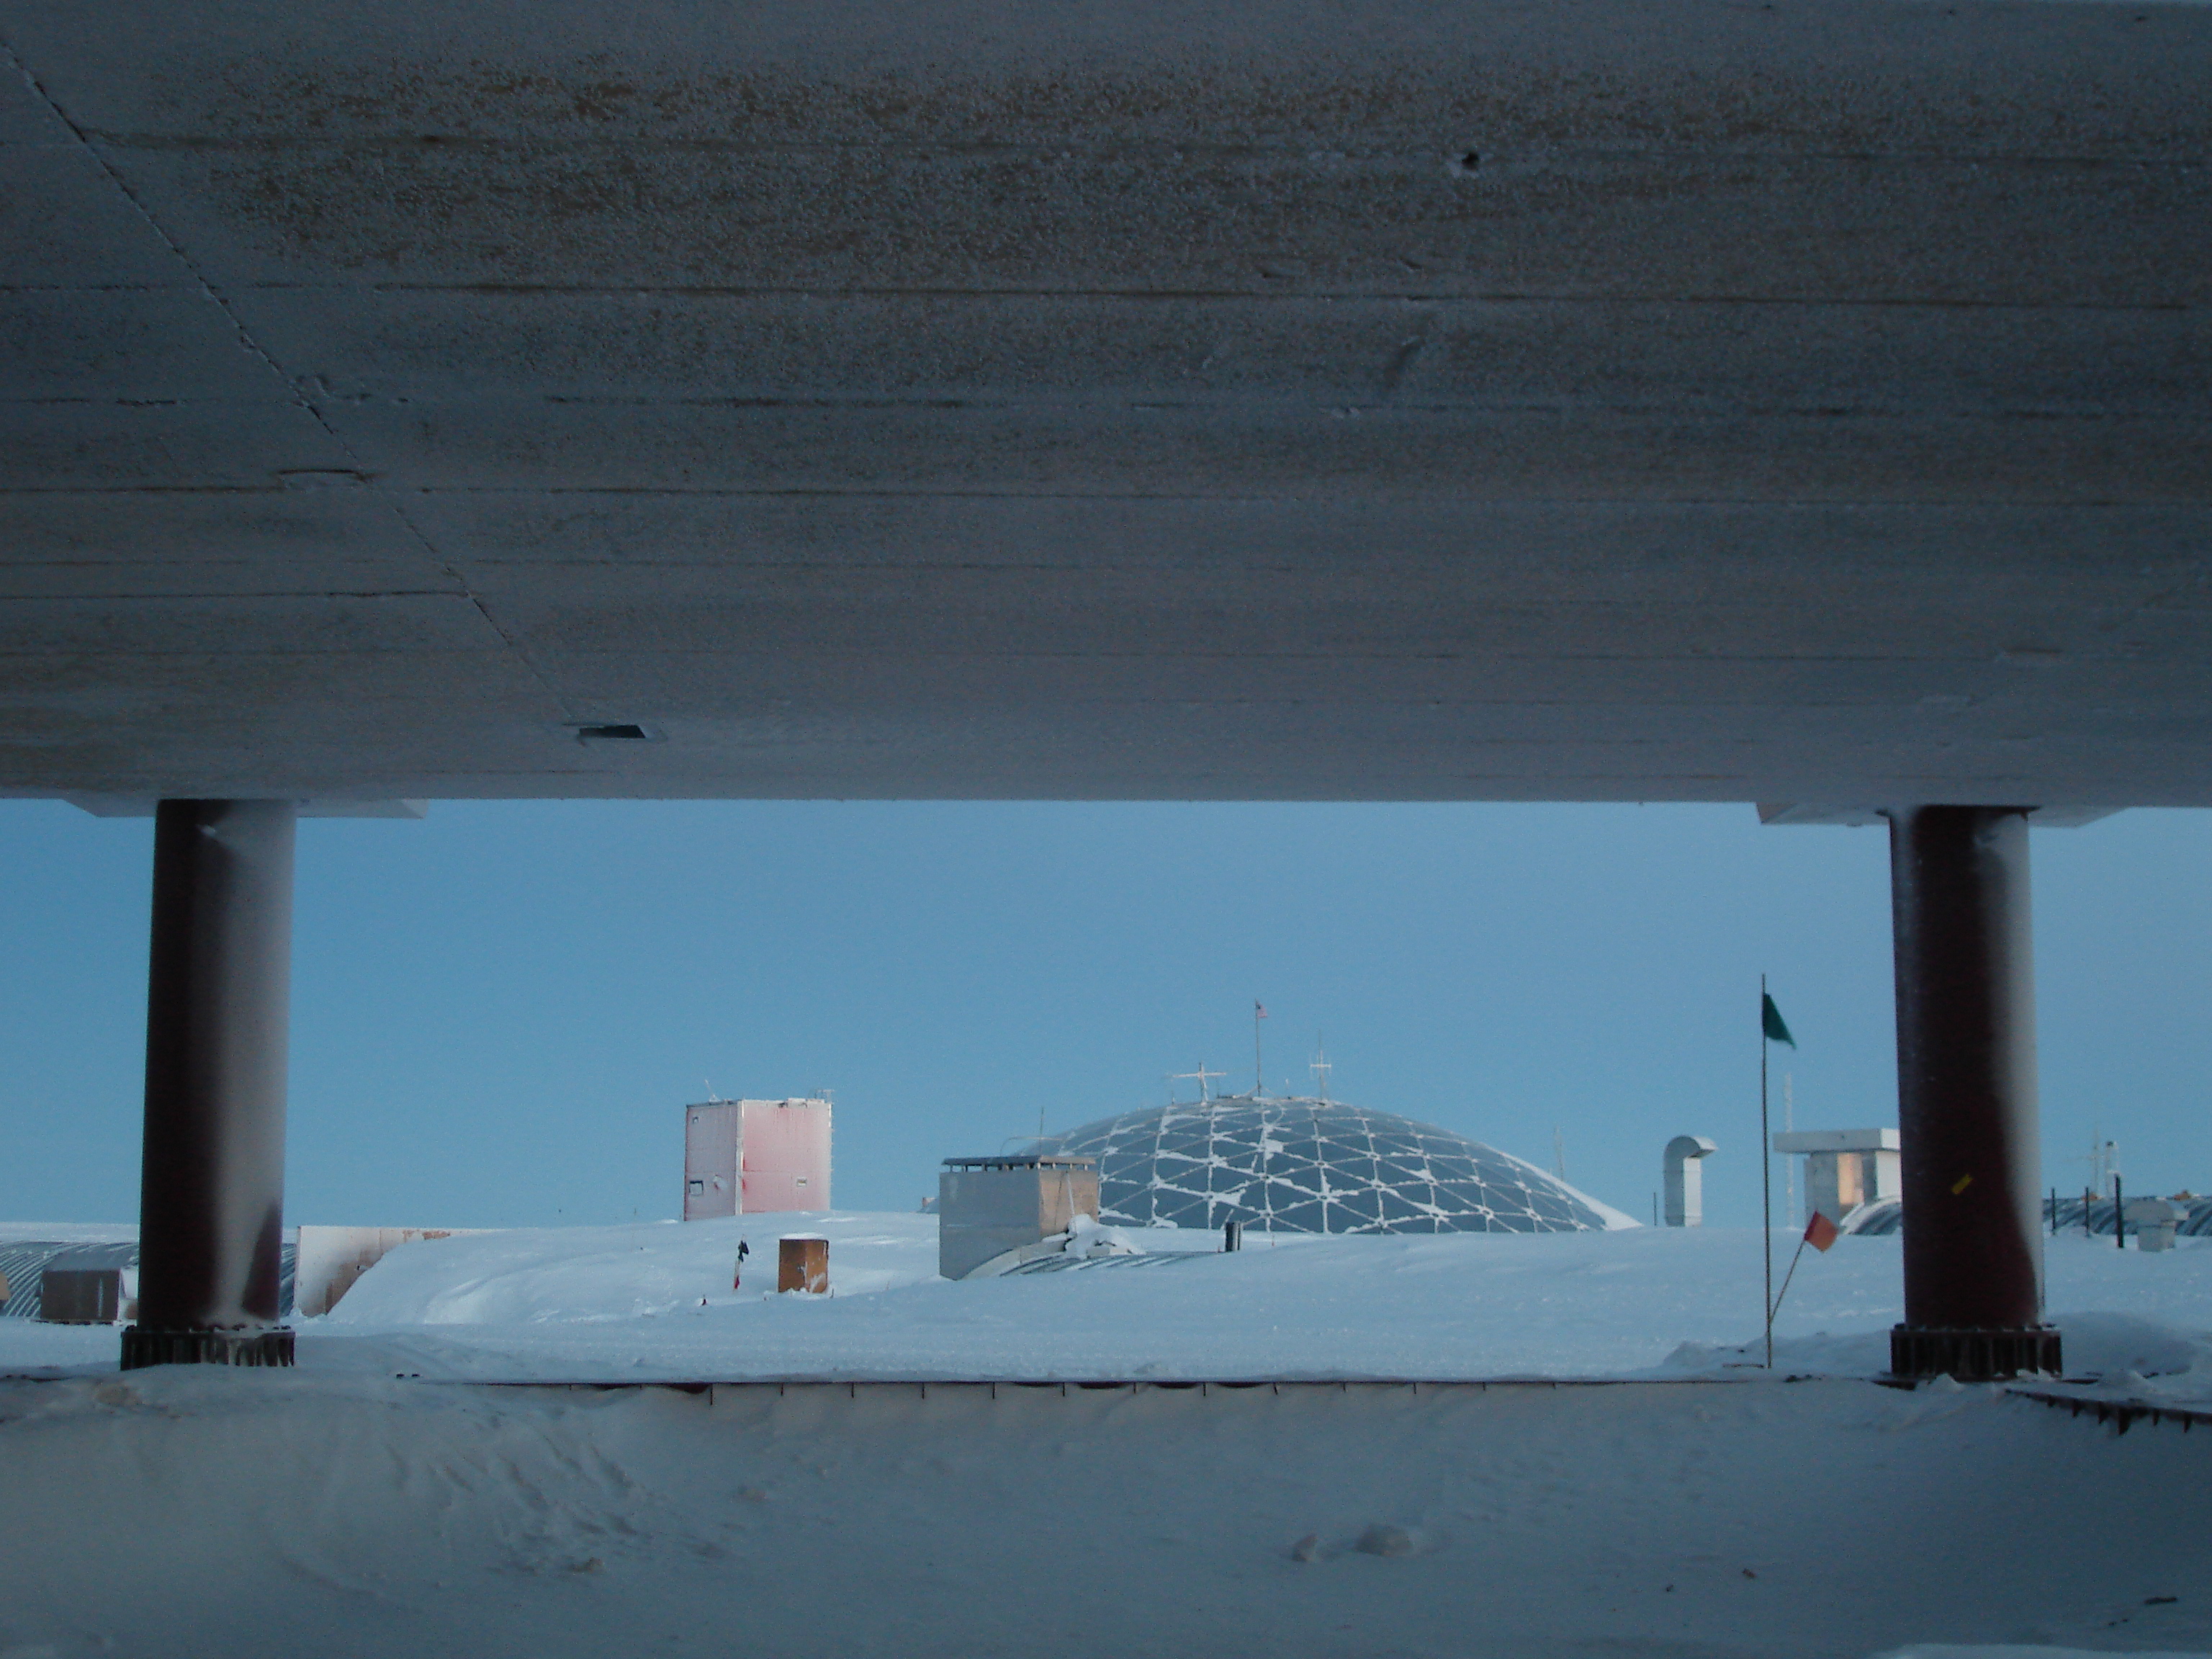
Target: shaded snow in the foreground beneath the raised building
[(202, 1514)]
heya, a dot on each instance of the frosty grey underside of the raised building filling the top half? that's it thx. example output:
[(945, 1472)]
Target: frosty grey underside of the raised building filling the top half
[(1277, 399)]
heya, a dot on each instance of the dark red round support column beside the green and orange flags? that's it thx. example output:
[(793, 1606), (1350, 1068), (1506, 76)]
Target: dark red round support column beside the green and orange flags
[(1972, 1182)]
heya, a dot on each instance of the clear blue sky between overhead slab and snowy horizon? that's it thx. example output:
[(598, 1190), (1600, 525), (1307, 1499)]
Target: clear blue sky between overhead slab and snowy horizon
[(501, 1010)]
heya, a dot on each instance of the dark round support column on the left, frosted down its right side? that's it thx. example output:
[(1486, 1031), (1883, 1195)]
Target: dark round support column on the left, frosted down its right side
[(218, 1010)]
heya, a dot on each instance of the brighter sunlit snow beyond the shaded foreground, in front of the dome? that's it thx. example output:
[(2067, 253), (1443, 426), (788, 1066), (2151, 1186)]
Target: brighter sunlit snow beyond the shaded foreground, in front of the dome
[(625, 1304)]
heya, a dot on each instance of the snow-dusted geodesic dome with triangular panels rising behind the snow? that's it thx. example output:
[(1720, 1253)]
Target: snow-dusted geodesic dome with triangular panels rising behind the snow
[(1315, 1167)]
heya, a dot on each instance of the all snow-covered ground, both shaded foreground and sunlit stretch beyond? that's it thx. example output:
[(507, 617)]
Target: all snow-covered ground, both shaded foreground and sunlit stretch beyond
[(382, 1501)]
